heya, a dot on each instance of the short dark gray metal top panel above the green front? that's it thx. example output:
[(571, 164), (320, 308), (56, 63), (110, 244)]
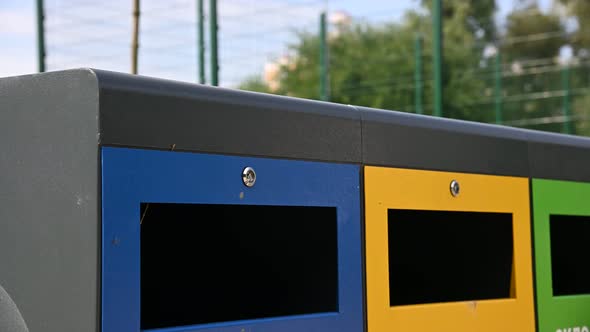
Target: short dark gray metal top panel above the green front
[(559, 157)]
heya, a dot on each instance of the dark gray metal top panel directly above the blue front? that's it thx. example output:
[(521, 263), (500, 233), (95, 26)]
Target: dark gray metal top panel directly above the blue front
[(154, 113)]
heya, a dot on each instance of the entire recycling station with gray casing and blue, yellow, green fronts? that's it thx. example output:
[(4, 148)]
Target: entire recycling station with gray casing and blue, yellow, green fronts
[(130, 203)]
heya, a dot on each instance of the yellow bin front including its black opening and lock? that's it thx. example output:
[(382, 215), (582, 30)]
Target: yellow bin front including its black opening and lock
[(447, 251)]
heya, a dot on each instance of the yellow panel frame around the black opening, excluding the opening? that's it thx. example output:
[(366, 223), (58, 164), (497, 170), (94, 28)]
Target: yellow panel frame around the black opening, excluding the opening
[(390, 188)]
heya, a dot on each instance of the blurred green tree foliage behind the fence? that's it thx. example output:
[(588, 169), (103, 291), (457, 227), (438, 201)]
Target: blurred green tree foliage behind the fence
[(374, 65)]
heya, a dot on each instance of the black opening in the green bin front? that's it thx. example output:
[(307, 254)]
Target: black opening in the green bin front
[(570, 256)]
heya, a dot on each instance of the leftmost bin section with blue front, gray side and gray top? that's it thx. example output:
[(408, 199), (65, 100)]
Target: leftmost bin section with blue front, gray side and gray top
[(131, 203)]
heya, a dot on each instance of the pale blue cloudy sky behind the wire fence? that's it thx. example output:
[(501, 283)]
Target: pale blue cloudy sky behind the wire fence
[(85, 33)]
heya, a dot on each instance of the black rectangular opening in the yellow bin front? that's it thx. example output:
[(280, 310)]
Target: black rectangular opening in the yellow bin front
[(448, 256)]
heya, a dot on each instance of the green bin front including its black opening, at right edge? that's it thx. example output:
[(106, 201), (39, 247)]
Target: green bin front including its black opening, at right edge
[(561, 214)]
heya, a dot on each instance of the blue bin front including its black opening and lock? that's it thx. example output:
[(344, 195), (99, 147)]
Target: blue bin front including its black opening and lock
[(195, 242)]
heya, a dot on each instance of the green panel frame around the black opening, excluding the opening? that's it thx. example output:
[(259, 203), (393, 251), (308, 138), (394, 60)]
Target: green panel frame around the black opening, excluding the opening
[(557, 313)]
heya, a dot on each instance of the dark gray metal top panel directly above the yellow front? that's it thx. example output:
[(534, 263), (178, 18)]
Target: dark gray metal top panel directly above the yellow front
[(423, 142)]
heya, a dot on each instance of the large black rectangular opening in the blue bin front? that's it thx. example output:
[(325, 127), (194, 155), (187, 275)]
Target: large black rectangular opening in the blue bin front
[(206, 263)]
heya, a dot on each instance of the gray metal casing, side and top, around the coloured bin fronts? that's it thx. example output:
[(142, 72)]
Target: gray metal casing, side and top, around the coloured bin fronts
[(53, 124)]
